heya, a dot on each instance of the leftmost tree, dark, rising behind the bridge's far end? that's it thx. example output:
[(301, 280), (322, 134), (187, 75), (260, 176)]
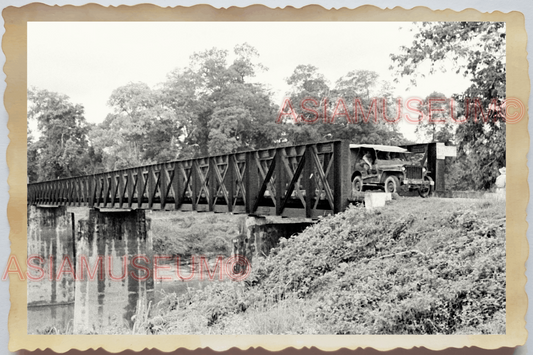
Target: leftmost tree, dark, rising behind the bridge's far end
[(60, 149)]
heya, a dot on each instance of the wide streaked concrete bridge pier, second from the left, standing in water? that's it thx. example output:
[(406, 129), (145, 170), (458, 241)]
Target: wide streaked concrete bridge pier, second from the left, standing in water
[(119, 243)]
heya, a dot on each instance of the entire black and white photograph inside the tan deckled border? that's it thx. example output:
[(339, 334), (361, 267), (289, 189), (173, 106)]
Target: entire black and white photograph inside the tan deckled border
[(266, 178)]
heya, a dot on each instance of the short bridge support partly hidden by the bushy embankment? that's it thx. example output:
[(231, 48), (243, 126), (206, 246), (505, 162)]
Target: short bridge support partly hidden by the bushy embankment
[(261, 234)]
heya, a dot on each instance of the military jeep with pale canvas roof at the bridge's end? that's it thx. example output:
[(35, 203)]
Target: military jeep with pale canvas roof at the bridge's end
[(388, 167)]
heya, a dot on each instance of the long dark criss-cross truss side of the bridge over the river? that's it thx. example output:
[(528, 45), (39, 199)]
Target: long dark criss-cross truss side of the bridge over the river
[(296, 181)]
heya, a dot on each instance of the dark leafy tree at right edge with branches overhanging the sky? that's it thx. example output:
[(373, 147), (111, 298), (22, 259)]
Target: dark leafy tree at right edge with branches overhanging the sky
[(478, 49)]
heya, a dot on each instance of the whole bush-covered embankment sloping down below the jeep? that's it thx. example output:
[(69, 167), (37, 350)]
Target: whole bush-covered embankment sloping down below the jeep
[(436, 266)]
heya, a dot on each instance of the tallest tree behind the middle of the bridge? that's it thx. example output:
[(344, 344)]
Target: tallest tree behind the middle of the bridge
[(222, 110)]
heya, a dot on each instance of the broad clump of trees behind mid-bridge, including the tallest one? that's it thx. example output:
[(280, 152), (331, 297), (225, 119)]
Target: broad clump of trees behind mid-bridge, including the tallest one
[(209, 107)]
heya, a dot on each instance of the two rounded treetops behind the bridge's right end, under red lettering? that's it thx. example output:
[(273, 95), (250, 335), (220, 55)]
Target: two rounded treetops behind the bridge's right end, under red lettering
[(306, 82)]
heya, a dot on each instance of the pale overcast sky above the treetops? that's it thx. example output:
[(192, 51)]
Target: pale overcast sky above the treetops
[(88, 60)]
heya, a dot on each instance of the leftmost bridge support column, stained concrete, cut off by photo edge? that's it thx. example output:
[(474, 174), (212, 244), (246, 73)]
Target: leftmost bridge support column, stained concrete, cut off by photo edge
[(50, 237)]
